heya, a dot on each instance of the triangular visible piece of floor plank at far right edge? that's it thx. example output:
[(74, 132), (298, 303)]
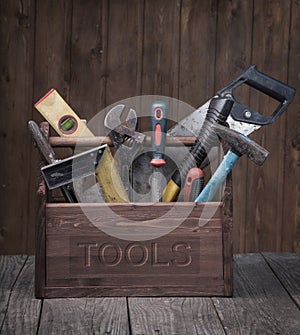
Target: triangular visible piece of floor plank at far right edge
[(286, 267)]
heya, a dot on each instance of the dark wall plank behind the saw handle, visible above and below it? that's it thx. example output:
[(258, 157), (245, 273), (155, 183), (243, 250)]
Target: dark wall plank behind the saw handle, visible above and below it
[(265, 202)]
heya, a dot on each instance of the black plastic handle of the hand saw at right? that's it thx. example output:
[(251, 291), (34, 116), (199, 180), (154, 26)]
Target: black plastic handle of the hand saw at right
[(265, 84)]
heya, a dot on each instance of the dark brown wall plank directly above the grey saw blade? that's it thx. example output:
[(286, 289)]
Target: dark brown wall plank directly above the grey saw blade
[(197, 51)]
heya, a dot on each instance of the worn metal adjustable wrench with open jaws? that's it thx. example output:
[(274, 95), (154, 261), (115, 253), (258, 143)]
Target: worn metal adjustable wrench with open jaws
[(126, 140)]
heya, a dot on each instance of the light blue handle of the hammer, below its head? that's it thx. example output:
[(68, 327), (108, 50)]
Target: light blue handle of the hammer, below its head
[(218, 177)]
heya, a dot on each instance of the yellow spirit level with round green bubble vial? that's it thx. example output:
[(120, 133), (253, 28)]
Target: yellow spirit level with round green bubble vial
[(66, 123)]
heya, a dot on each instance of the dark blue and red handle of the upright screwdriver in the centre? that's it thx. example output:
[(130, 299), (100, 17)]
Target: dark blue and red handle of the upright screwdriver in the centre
[(159, 117)]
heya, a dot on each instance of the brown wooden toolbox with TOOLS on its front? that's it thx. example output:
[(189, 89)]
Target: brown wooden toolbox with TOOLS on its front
[(75, 258)]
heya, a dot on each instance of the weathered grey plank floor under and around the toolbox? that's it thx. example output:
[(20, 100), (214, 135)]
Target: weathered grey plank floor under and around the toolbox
[(266, 301)]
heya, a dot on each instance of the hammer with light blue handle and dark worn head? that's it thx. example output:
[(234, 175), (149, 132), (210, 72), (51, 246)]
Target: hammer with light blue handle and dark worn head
[(239, 145)]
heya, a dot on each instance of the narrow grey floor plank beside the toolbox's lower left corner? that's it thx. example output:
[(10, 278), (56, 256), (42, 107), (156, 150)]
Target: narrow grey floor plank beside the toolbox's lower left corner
[(23, 310)]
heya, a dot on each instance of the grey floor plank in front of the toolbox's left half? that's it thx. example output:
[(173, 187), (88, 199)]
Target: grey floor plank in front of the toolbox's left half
[(105, 316)]
